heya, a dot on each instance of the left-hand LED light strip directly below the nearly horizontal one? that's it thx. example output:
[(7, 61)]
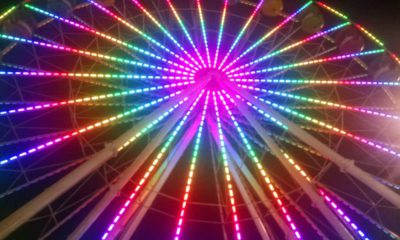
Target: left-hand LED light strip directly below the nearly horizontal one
[(94, 98)]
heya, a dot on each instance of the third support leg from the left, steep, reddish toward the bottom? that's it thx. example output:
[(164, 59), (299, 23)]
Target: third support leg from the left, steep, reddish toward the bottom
[(138, 210)]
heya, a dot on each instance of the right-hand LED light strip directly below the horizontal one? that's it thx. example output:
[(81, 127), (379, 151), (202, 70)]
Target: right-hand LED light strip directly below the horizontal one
[(320, 102)]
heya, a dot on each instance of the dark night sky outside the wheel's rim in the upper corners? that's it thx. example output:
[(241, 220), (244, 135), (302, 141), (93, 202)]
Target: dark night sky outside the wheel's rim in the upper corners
[(381, 17)]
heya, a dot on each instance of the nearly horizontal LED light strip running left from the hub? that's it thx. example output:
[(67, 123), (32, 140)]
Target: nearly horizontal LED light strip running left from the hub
[(92, 75)]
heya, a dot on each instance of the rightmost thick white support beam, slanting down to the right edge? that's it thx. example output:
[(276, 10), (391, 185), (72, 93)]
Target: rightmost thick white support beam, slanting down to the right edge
[(343, 163)]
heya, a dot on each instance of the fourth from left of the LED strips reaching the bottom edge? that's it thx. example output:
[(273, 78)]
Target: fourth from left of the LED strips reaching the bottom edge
[(253, 156)]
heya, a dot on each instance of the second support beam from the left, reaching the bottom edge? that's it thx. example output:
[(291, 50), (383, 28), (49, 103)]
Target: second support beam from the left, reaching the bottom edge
[(127, 174)]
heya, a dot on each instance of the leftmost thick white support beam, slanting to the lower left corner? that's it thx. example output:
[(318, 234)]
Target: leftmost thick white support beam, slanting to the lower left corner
[(24, 213)]
